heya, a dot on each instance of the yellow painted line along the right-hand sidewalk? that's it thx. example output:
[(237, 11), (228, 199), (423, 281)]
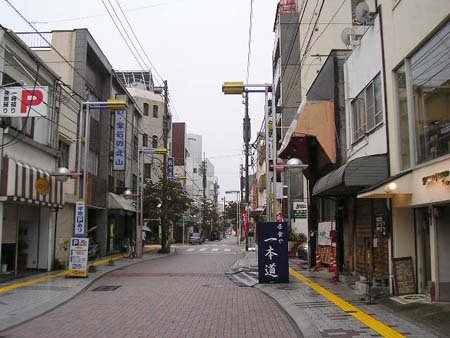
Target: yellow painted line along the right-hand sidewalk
[(363, 317)]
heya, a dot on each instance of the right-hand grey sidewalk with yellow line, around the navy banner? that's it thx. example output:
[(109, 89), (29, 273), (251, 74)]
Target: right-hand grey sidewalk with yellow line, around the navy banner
[(322, 308)]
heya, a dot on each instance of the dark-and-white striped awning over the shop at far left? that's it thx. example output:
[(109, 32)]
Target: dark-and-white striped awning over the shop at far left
[(19, 184)]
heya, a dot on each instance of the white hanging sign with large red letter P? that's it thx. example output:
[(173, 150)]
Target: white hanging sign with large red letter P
[(27, 101)]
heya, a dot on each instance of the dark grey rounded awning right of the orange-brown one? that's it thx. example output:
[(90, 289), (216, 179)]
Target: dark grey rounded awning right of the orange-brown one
[(353, 176)]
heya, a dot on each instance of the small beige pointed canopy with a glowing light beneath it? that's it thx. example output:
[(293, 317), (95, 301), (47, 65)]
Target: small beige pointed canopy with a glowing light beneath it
[(399, 185)]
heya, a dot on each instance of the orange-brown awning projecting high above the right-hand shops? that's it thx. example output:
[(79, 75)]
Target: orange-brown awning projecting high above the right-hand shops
[(313, 119)]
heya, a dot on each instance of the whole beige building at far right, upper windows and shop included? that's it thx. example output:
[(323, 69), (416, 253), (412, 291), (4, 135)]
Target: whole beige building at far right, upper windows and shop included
[(417, 71)]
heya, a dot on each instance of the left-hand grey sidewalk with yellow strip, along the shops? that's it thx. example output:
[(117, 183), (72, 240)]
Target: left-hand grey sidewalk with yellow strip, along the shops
[(24, 299)]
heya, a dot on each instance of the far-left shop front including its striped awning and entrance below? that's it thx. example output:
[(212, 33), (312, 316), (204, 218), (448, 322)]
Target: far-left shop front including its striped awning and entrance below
[(31, 198)]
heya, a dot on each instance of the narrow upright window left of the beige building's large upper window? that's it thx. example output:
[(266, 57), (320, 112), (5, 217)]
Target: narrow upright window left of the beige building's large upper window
[(403, 114)]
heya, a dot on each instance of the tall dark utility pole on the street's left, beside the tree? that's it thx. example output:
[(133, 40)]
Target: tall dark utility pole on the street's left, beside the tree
[(166, 121)]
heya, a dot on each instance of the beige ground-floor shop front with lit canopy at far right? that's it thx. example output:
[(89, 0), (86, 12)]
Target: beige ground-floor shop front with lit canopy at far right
[(420, 201)]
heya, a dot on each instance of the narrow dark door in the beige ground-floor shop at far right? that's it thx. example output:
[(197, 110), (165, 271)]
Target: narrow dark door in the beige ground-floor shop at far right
[(423, 250)]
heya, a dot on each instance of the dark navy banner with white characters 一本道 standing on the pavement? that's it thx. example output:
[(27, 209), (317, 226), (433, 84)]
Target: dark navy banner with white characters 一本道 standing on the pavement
[(273, 261)]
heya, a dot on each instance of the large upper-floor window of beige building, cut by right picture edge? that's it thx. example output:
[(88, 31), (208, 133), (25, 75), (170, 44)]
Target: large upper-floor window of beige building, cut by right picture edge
[(431, 85)]
